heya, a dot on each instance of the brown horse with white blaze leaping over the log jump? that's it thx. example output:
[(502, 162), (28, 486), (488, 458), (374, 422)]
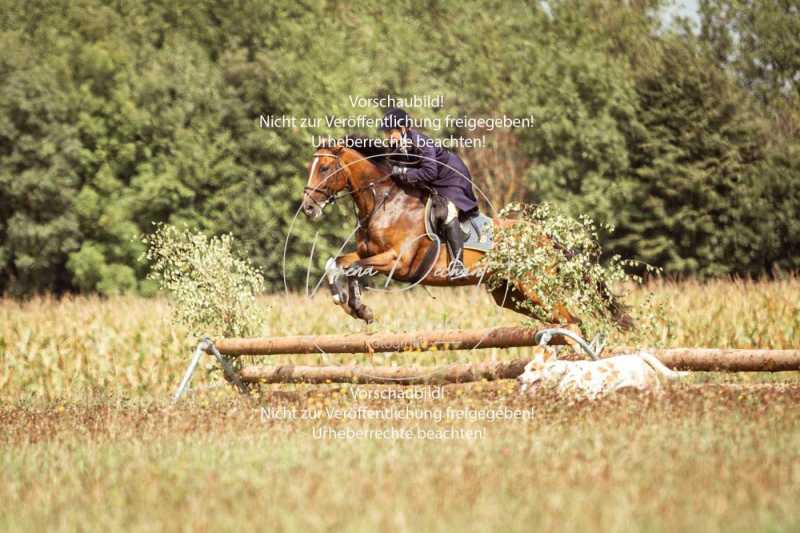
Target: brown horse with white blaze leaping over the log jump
[(391, 237)]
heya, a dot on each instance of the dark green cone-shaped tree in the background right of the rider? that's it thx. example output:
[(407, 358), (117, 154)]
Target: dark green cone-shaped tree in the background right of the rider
[(689, 205)]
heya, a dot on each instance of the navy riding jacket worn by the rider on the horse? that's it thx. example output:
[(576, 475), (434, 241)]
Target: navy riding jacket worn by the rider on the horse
[(441, 170)]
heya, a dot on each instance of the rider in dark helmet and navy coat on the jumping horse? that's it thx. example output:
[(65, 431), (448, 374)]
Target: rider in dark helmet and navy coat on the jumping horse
[(440, 170)]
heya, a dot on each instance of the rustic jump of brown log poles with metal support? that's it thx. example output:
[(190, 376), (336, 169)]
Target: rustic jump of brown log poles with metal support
[(698, 359)]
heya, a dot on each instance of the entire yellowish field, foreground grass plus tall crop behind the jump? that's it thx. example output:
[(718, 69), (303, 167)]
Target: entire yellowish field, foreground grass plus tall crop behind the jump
[(89, 440)]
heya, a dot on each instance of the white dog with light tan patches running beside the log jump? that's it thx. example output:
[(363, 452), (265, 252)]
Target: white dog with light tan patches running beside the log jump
[(592, 379)]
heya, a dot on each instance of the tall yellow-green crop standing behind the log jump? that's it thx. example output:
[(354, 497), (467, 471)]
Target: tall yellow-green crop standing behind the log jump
[(127, 346)]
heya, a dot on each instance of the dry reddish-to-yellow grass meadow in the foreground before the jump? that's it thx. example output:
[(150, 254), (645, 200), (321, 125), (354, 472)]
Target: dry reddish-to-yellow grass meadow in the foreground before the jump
[(699, 458)]
